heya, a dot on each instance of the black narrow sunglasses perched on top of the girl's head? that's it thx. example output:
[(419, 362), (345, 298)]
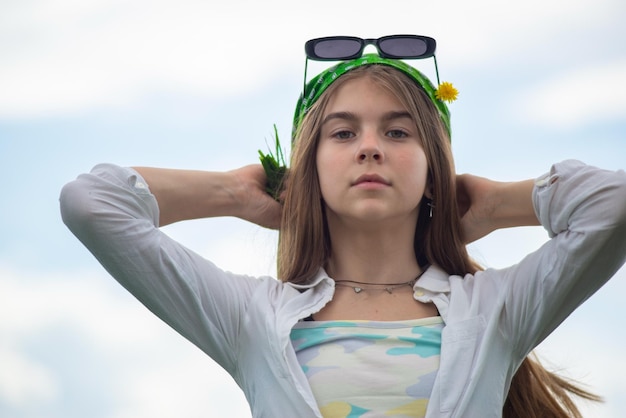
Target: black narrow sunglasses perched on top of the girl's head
[(339, 48)]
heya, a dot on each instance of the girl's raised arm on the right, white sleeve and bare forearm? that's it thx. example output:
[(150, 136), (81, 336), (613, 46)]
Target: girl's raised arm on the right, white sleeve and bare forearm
[(583, 209)]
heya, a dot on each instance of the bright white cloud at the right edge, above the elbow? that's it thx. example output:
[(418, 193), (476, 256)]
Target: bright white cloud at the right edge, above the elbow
[(576, 97)]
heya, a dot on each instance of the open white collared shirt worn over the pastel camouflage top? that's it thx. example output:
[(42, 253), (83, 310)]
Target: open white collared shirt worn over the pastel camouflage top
[(493, 319)]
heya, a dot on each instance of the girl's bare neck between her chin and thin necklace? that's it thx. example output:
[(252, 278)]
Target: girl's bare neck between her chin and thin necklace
[(376, 255)]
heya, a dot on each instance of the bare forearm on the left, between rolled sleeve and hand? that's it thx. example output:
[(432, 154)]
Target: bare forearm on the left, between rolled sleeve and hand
[(191, 194)]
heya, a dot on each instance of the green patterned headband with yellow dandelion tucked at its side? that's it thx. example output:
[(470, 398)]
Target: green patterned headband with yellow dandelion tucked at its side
[(320, 83)]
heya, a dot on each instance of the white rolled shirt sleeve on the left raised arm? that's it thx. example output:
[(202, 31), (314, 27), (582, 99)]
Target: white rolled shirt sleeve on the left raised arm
[(112, 212)]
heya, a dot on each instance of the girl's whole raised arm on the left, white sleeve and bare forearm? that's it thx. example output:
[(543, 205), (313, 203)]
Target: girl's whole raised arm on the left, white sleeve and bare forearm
[(116, 213)]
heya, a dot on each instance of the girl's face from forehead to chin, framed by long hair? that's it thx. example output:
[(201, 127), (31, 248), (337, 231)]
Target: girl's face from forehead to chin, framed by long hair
[(370, 160)]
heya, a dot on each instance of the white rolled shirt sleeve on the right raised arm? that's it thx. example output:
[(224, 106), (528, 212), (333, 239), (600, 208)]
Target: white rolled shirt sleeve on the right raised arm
[(583, 209)]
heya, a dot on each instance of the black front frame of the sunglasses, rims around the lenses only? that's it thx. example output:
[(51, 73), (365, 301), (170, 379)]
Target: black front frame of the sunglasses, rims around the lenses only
[(309, 47)]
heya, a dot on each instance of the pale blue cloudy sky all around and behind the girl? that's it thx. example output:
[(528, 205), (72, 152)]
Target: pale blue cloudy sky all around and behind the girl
[(199, 84)]
